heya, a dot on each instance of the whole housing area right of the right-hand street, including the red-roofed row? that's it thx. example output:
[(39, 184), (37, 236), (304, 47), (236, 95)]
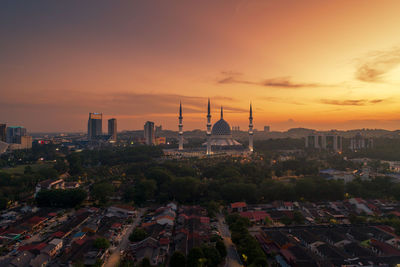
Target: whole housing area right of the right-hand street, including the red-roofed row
[(325, 237)]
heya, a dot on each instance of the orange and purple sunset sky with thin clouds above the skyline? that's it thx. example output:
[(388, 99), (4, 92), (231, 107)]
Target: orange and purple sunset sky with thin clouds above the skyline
[(302, 63)]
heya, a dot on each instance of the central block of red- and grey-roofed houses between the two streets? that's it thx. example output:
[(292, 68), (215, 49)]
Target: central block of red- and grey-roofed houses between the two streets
[(171, 229)]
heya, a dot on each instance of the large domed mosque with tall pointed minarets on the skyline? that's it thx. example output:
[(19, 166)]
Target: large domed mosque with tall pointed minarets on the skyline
[(219, 138)]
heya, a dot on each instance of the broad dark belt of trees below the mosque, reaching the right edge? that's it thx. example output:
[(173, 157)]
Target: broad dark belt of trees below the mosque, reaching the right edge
[(232, 181)]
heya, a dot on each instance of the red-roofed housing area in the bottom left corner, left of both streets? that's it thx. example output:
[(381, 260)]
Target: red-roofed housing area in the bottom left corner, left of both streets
[(47, 237)]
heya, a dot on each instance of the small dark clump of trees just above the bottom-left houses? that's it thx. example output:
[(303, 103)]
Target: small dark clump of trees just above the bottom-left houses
[(60, 198)]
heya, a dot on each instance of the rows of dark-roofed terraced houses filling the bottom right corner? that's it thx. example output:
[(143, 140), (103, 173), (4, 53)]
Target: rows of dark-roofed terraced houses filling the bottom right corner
[(331, 245)]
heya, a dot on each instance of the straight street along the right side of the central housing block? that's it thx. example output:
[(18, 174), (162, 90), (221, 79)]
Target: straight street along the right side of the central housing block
[(232, 258)]
